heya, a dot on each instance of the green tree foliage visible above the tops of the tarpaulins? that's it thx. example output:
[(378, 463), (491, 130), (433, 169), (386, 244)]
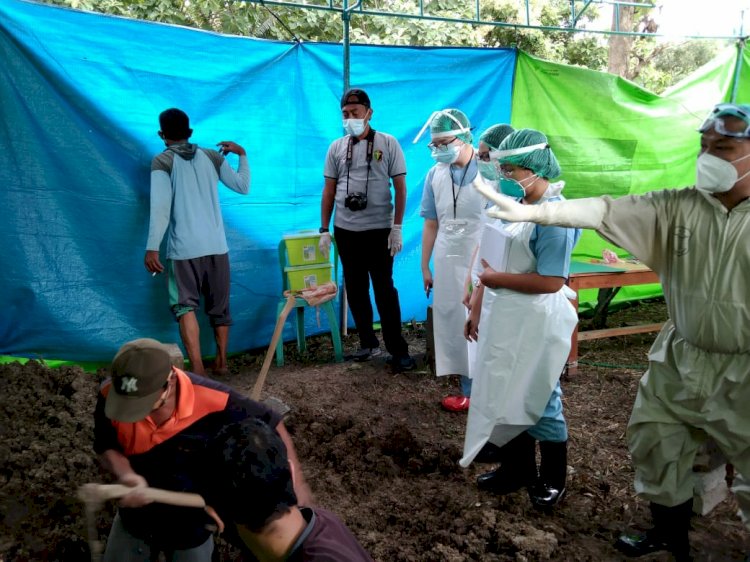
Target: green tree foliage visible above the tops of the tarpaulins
[(653, 65)]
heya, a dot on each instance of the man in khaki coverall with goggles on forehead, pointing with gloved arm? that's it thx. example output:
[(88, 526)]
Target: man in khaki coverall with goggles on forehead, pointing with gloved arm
[(697, 385)]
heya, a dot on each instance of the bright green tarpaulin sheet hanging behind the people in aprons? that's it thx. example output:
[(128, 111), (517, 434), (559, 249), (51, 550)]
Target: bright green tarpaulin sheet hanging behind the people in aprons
[(613, 137)]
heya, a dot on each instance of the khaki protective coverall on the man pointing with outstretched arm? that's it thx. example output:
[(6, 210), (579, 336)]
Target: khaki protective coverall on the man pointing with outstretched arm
[(699, 366)]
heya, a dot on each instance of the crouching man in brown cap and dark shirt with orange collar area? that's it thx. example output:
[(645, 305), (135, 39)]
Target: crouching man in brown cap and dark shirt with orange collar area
[(155, 426)]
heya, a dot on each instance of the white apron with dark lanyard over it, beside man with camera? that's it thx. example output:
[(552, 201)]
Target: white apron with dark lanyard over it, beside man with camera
[(459, 229)]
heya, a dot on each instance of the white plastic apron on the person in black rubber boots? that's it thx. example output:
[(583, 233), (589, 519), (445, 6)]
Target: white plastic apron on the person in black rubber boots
[(524, 341)]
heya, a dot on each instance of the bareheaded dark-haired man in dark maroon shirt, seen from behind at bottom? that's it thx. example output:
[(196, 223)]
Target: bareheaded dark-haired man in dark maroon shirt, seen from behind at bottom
[(253, 494)]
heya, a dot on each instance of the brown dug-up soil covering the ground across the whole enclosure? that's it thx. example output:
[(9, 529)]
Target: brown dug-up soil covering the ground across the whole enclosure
[(377, 449)]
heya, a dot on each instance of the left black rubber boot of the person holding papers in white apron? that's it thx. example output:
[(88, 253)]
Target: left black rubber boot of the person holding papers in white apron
[(517, 468)]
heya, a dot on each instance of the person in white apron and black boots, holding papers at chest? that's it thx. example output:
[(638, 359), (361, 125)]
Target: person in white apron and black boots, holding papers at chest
[(523, 321)]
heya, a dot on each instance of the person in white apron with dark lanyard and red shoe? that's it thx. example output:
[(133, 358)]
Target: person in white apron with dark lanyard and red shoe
[(453, 215)]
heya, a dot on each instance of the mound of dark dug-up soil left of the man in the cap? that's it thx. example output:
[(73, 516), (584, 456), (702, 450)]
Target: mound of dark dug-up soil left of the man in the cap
[(46, 432)]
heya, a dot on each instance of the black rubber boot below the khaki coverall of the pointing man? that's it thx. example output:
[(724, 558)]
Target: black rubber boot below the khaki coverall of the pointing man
[(670, 533)]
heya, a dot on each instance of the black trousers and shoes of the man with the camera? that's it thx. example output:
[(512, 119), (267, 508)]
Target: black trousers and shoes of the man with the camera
[(365, 256)]
